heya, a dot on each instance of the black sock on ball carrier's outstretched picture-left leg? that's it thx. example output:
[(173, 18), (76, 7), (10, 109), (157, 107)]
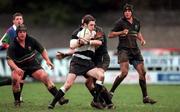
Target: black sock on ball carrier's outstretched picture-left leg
[(57, 97)]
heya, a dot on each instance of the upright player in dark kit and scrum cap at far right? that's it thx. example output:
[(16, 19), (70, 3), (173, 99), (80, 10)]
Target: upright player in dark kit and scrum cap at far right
[(127, 29)]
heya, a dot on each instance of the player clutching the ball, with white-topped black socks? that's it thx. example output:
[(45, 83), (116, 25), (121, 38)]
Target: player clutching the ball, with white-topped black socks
[(81, 63)]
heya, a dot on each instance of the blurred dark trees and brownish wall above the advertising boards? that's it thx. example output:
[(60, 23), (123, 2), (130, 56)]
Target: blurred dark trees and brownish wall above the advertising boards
[(56, 19)]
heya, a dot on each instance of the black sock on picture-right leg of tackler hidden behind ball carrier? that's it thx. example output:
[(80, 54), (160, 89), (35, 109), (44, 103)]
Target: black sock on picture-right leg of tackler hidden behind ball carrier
[(105, 95)]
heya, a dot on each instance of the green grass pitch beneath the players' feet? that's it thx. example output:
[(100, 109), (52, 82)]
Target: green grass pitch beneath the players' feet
[(127, 98)]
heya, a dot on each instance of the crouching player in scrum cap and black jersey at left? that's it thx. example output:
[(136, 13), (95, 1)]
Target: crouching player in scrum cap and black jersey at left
[(22, 59)]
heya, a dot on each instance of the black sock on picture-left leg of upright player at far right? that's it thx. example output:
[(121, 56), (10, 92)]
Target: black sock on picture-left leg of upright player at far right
[(116, 83)]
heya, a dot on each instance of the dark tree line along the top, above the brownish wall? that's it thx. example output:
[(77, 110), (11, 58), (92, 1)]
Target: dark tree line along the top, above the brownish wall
[(64, 10)]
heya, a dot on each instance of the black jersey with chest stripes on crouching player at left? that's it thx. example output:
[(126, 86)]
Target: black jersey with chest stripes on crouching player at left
[(25, 57)]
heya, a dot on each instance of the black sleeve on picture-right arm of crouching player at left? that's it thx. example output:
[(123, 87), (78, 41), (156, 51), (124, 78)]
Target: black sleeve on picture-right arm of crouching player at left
[(37, 45)]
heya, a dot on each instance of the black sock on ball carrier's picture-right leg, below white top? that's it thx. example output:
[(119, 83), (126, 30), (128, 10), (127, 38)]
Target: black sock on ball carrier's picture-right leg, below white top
[(98, 89)]
